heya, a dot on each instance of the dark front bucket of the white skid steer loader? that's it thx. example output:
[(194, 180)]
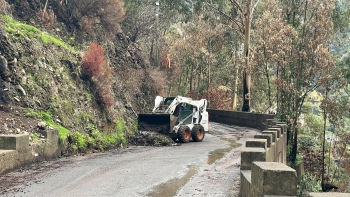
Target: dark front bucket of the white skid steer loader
[(154, 122)]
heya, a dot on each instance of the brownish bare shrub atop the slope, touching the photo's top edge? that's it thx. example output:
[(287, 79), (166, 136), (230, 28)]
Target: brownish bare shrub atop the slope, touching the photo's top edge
[(92, 16)]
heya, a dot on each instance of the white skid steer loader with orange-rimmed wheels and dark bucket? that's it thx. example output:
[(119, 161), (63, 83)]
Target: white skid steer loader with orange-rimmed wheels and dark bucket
[(179, 117)]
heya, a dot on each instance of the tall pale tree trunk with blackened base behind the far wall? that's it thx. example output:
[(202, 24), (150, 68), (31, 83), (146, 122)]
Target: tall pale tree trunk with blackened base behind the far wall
[(247, 70)]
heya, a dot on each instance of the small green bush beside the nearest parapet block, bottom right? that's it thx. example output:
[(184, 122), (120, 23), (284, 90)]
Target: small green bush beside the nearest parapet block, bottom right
[(309, 183)]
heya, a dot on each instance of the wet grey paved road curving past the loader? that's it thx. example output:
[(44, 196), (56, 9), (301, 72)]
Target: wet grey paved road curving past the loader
[(208, 168)]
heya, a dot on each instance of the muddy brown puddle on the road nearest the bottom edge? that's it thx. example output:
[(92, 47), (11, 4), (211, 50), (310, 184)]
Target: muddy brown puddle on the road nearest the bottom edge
[(171, 187)]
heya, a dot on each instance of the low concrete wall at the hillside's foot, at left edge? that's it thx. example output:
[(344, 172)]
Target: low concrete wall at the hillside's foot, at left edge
[(16, 151)]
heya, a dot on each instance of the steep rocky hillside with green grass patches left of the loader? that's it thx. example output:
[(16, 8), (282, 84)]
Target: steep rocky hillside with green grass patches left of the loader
[(41, 79)]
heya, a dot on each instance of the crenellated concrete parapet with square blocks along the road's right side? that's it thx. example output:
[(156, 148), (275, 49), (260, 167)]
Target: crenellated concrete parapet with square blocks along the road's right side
[(263, 169)]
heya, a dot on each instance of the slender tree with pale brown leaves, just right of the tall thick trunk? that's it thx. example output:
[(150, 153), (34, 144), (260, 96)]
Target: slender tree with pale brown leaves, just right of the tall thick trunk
[(273, 39)]
